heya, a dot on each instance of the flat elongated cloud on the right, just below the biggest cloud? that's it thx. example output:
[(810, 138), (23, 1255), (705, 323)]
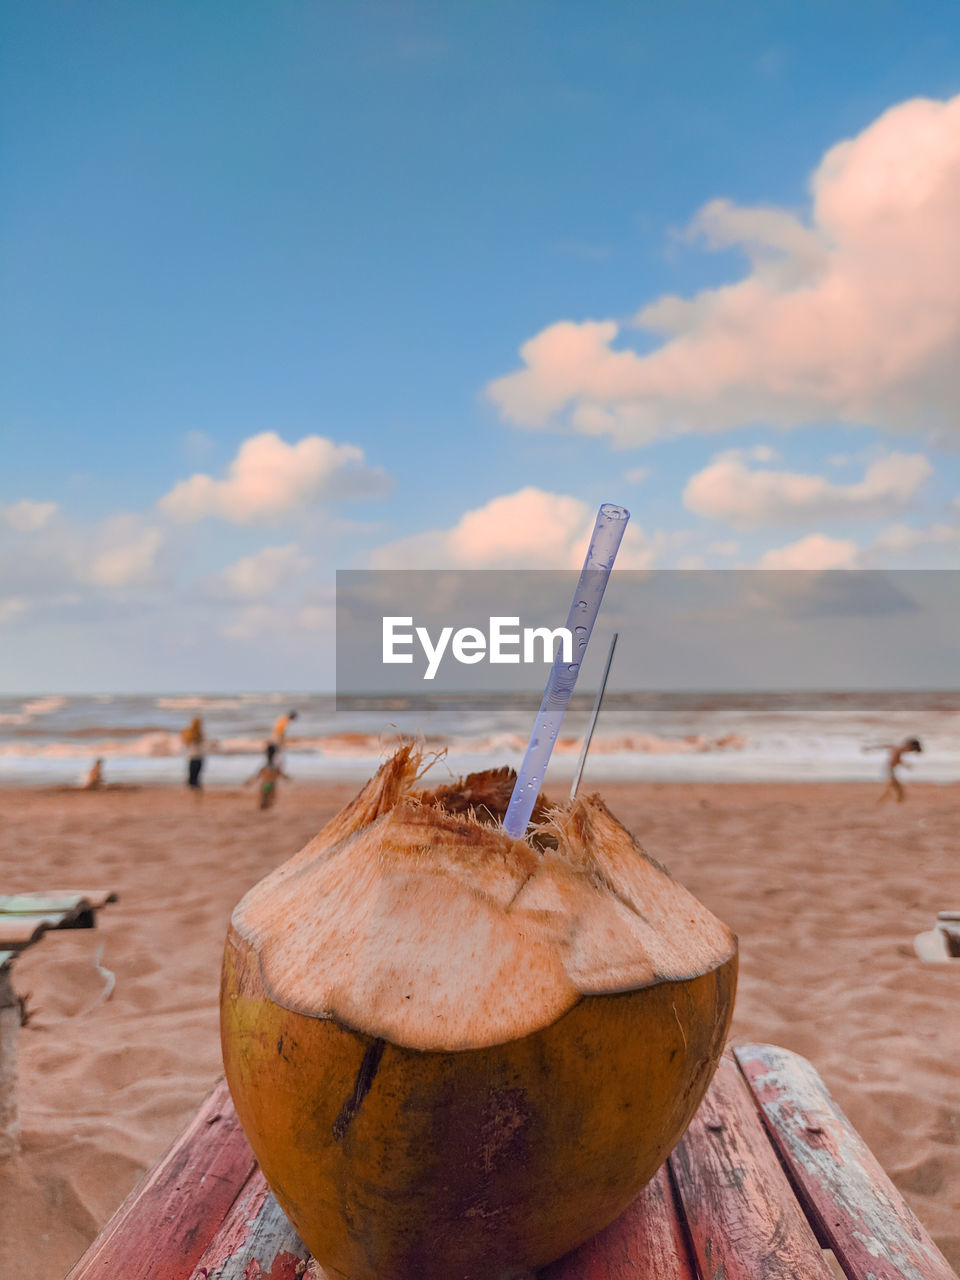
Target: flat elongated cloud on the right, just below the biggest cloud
[(730, 491)]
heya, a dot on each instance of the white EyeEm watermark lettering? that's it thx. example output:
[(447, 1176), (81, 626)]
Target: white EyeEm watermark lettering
[(504, 642)]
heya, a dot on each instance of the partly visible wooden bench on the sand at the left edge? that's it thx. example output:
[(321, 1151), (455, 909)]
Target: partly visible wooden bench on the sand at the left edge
[(25, 918)]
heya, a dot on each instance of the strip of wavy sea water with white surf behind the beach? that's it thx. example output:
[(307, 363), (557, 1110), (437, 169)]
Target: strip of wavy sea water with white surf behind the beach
[(642, 737)]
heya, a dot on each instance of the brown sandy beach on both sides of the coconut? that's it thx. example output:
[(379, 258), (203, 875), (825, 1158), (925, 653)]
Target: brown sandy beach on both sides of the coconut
[(825, 889)]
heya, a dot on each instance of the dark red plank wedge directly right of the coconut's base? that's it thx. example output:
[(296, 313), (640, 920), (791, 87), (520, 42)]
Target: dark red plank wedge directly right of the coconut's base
[(646, 1244)]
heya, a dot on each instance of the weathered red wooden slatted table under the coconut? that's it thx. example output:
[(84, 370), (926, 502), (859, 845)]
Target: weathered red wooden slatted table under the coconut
[(769, 1182)]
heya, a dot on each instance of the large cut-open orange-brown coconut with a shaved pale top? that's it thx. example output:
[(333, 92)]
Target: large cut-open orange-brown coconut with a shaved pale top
[(454, 1054)]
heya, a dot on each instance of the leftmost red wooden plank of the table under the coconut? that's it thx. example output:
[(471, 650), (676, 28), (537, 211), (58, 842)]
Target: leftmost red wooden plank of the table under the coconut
[(163, 1227)]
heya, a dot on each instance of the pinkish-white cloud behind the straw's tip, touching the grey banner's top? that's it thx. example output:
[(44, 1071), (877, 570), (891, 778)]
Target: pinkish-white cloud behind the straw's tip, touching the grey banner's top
[(528, 529)]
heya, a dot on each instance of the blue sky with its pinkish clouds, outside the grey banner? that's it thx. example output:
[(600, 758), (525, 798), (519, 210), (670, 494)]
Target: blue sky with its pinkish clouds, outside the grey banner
[(276, 223)]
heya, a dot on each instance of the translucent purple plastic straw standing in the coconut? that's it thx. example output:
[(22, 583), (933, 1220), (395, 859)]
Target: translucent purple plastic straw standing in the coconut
[(605, 545)]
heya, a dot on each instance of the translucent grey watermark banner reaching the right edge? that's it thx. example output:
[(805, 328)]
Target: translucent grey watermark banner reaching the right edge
[(422, 637)]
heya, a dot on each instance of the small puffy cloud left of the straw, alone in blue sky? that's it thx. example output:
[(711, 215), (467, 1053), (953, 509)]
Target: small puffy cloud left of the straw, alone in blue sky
[(269, 479)]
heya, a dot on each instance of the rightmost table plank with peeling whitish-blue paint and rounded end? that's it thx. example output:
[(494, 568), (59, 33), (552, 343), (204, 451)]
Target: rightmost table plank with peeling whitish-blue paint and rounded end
[(845, 1192)]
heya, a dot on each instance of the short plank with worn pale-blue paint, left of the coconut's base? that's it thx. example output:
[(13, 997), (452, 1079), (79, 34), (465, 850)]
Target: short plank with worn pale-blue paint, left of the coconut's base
[(255, 1240)]
